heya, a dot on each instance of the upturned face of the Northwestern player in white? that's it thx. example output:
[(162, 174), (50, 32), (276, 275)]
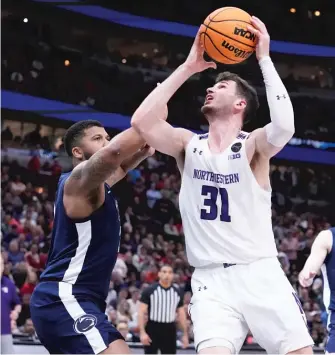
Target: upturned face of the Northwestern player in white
[(221, 97)]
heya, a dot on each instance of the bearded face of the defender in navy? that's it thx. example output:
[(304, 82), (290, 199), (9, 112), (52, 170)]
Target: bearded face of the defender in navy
[(94, 139)]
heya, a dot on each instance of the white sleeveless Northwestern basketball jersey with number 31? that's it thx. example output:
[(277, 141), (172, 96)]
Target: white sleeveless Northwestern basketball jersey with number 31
[(226, 214)]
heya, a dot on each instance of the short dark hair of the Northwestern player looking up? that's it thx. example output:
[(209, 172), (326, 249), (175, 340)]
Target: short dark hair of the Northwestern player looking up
[(245, 90)]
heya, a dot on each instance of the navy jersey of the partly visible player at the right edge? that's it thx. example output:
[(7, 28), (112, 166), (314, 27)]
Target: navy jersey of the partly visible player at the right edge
[(328, 273)]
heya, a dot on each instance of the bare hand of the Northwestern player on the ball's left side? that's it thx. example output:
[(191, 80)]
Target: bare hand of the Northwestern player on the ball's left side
[(195, 61)]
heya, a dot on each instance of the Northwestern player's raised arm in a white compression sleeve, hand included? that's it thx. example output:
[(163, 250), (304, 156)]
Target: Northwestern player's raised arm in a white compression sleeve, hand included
[(274, 136)]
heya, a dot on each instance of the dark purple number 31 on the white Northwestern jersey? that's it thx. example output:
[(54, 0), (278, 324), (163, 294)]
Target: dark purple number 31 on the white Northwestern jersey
[(212, 194)]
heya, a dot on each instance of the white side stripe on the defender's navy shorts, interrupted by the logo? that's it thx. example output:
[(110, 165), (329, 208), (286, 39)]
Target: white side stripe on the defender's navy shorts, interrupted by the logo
[(74, 309)]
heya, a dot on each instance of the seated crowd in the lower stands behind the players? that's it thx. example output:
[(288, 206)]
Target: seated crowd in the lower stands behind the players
[(152, 234)]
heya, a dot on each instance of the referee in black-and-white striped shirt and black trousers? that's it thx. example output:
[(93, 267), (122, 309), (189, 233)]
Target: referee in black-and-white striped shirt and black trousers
[(161, 301)]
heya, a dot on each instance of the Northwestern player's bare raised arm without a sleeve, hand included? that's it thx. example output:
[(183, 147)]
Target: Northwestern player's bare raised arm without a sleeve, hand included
[(147, 118)]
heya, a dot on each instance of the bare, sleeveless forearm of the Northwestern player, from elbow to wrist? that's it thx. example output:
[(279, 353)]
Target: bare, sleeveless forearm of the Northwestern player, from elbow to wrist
[(152, 107)]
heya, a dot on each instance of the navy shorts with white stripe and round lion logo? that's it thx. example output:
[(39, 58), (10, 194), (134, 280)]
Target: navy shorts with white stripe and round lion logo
[(68, 324)]
